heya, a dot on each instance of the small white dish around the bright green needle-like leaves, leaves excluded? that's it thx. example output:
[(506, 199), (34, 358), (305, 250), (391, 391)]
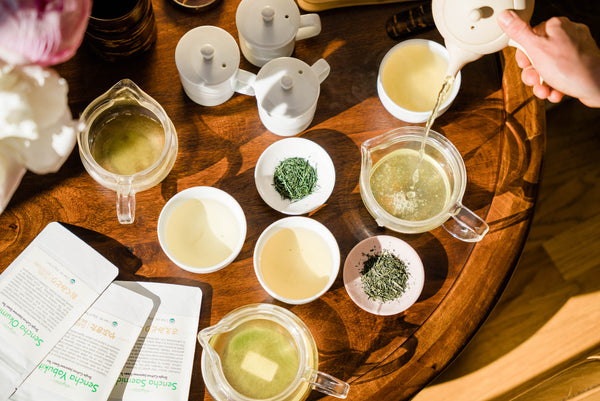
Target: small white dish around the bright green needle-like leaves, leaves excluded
[(294, 147)]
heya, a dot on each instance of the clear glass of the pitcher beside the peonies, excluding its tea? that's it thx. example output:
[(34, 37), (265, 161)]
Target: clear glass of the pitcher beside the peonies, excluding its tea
[(125, 99)]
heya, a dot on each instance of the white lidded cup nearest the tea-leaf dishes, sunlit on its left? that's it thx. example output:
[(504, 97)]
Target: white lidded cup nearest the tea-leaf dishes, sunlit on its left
[(287, 90)]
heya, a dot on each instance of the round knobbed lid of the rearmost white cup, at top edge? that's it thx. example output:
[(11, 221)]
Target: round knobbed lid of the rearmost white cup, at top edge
[(267, 23)]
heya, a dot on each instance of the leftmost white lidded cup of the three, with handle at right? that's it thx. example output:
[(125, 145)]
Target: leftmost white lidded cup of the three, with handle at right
[(208, 59)]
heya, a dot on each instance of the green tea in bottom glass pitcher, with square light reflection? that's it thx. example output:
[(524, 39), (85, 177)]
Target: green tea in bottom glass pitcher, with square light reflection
[(258, 358)]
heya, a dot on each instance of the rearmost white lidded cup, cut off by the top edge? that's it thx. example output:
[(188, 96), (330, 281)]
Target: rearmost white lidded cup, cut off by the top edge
[(270, 29)]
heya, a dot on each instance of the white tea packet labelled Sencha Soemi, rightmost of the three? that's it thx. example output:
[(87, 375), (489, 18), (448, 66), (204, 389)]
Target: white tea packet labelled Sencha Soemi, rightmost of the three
[(160, 365)]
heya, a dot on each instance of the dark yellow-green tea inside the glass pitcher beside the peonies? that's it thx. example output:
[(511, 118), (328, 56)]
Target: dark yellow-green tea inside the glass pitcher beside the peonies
[(128, 142)]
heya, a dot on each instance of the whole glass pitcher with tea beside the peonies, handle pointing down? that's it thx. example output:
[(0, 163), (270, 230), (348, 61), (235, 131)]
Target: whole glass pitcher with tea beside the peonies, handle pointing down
[(121, 106)]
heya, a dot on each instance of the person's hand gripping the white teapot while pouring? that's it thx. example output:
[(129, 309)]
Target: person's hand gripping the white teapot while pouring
[(561, 52)]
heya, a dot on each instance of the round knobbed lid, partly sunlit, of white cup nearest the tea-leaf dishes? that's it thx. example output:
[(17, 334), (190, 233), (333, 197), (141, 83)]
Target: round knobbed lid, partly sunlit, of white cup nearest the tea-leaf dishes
[(286, 87)]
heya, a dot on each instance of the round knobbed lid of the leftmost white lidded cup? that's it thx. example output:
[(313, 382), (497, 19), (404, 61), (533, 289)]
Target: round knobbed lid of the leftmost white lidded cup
[(207, 55)]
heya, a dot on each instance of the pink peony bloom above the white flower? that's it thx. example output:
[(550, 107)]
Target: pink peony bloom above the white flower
[(43, 32)]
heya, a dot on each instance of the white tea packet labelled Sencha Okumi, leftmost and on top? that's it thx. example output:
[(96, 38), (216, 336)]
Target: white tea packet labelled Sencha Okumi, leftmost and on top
[(43, 292)]
